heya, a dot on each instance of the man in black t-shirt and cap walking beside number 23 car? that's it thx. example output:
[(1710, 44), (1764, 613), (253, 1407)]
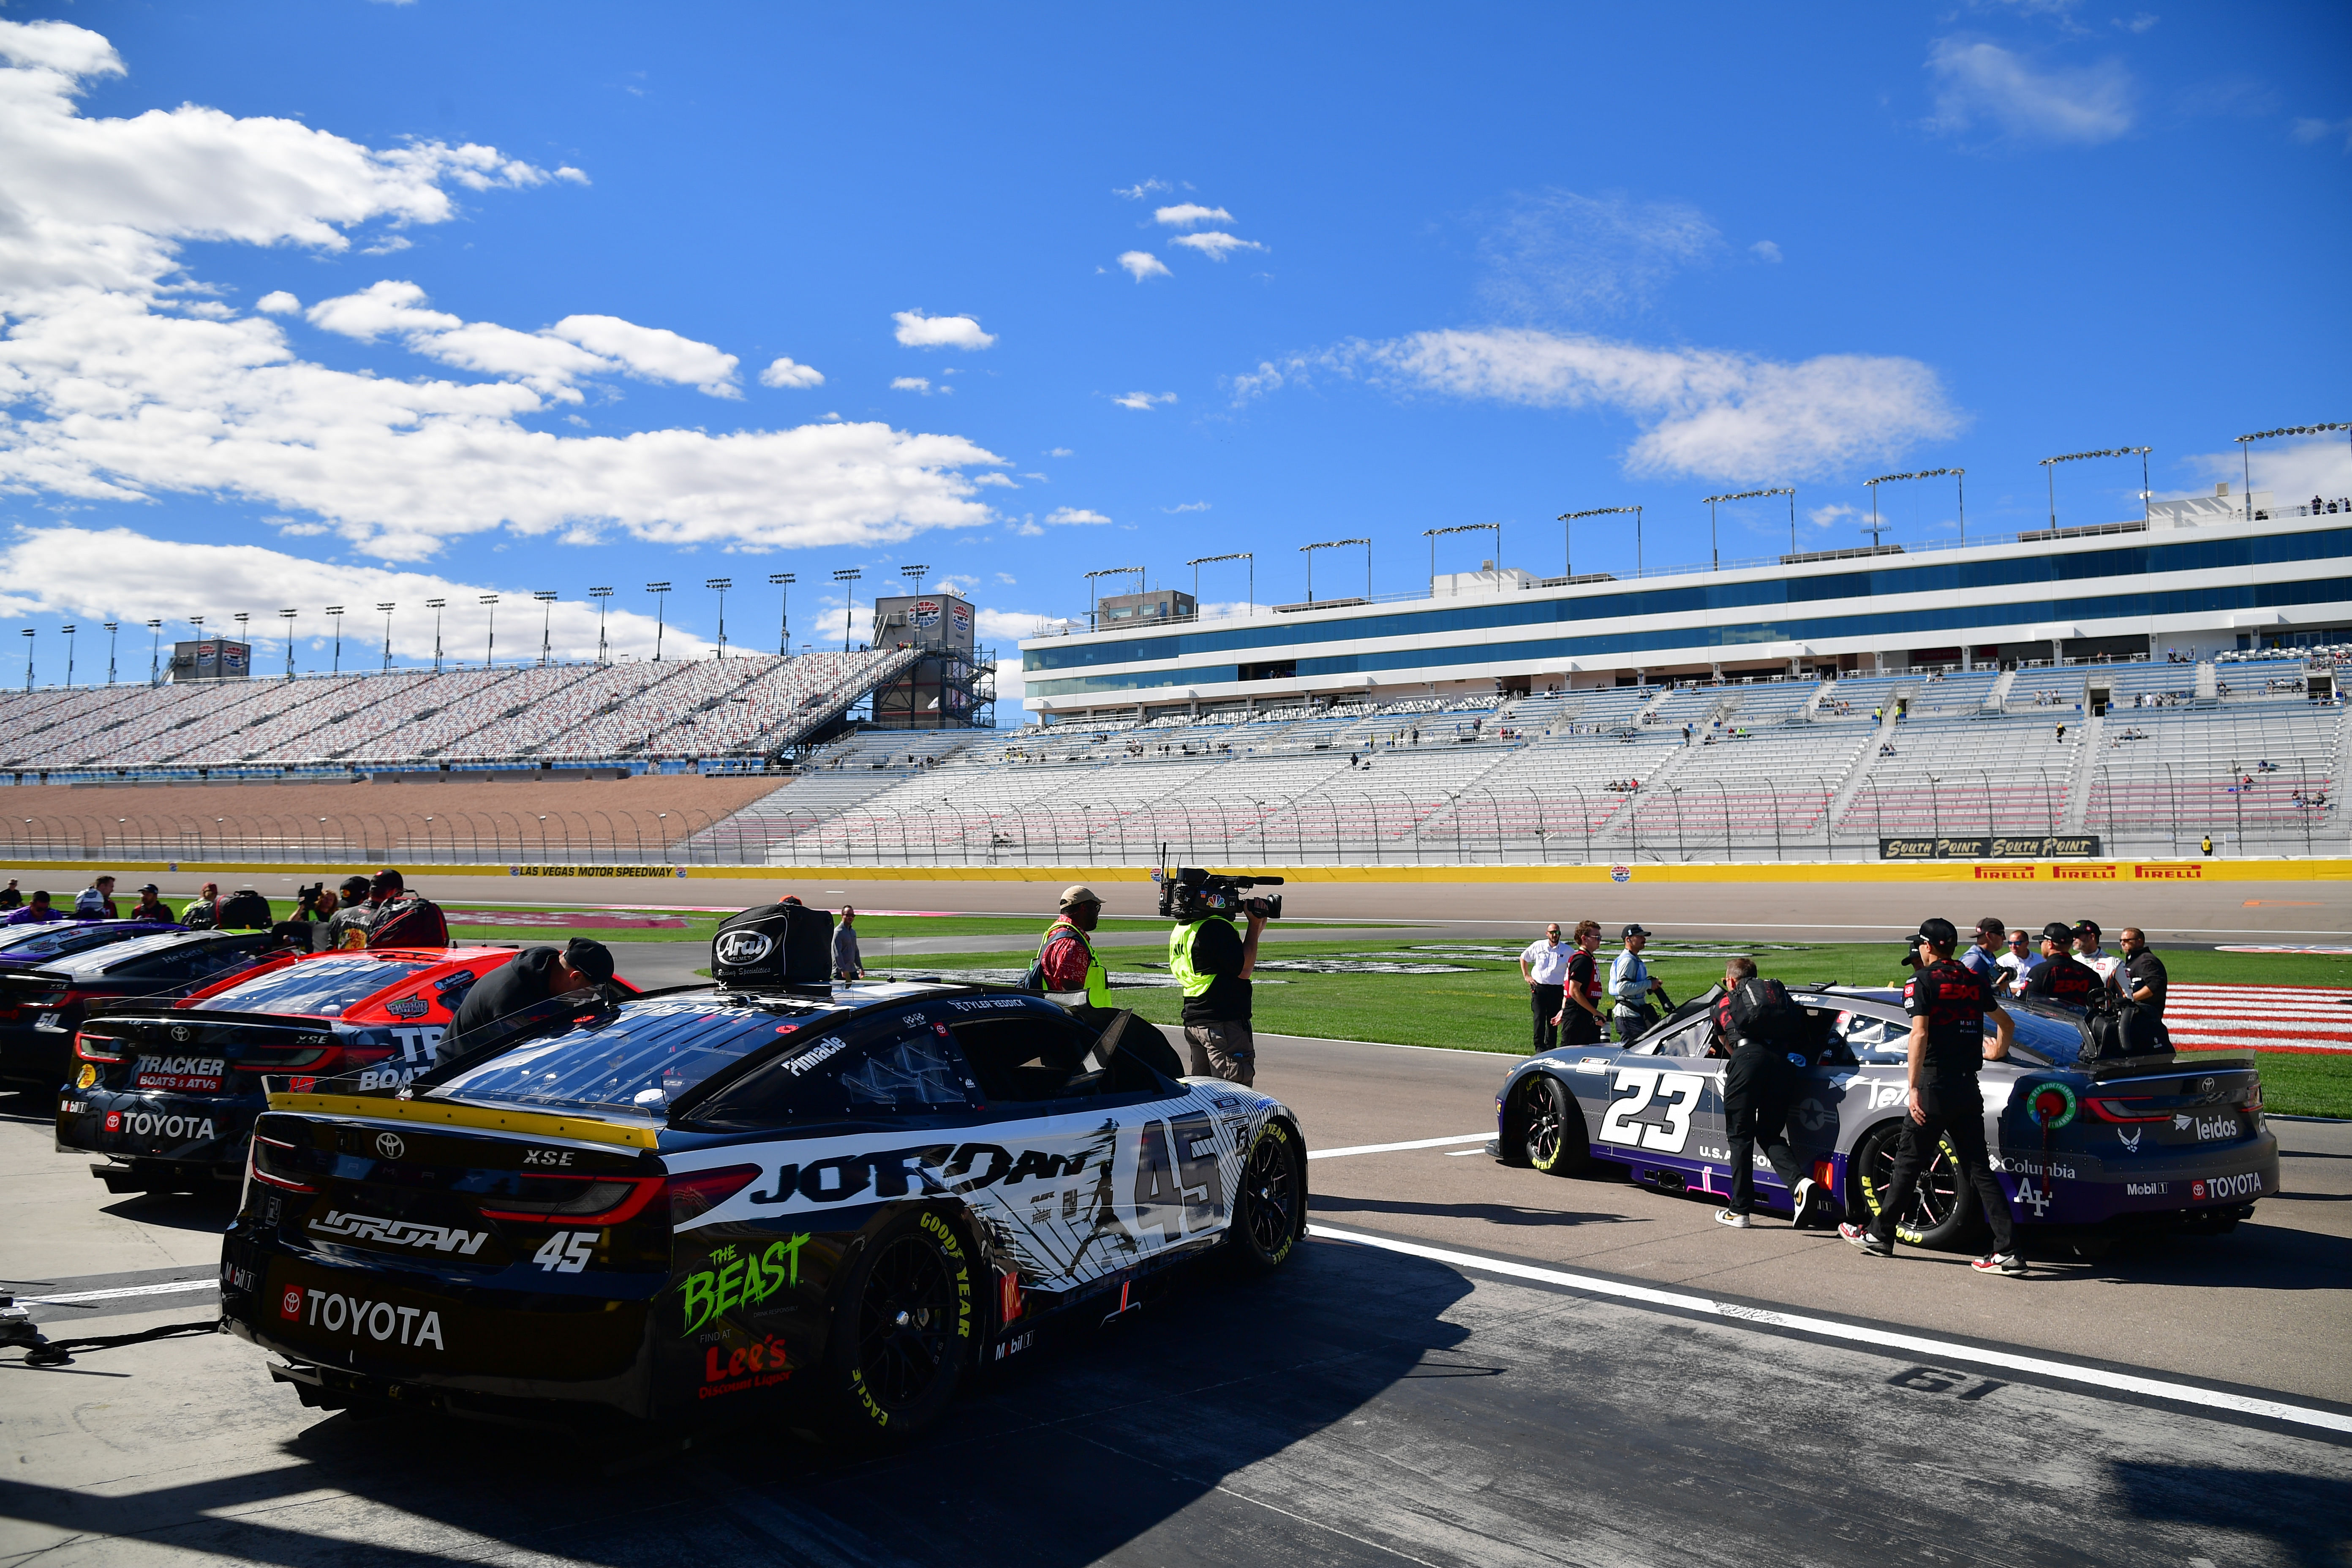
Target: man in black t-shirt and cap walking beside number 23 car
[(1949, 1007)]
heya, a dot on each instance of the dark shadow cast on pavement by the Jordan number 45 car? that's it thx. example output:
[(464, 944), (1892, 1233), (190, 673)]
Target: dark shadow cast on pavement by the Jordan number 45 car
[(1102, 1440)]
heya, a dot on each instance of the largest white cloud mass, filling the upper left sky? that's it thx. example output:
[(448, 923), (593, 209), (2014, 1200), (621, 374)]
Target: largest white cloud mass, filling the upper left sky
[(112, 396)]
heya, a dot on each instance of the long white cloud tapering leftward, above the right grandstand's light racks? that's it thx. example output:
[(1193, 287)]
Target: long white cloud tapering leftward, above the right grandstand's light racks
[(1706, 413)]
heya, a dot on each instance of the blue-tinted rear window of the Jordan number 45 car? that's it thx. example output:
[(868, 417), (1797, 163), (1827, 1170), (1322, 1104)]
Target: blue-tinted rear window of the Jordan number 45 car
[(632, 1061)]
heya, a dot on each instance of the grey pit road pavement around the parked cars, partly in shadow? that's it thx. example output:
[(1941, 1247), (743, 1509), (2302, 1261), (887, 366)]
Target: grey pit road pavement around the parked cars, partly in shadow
[(1363, 1407)]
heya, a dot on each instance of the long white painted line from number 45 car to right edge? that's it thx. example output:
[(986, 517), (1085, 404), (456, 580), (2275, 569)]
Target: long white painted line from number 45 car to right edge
[(1880, 1339)]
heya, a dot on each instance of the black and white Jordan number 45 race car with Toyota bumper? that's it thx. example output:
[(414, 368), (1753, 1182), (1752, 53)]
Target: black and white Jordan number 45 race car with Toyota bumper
[(829, 1202)]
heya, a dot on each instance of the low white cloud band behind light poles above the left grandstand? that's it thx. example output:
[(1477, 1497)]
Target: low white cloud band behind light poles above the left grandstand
[(131, 577)]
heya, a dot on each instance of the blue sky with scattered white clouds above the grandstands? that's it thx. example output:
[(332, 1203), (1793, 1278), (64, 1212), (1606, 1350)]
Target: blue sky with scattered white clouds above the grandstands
[(359, 302)]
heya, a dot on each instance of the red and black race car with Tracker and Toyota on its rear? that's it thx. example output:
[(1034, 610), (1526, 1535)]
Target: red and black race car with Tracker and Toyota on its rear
[(168, 1094)]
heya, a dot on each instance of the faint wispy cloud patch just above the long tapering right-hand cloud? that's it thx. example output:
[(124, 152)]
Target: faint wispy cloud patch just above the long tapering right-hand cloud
[(1584, 257)]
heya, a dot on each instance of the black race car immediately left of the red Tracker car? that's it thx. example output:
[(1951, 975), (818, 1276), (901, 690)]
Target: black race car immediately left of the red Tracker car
[(44, 1007)]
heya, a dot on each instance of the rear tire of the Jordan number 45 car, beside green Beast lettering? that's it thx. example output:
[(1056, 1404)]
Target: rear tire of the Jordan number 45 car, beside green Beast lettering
[(902, 1334)]
